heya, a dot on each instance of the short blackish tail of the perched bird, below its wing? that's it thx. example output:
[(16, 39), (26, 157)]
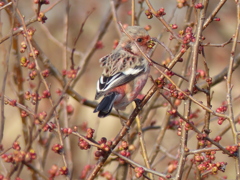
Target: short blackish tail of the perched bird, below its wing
[(105, 106)]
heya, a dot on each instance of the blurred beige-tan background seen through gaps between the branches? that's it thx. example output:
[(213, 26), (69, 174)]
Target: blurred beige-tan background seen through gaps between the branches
[(51, 36)]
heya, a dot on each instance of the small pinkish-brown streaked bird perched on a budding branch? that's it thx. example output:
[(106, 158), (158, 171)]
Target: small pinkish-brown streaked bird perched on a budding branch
[(125, 71)]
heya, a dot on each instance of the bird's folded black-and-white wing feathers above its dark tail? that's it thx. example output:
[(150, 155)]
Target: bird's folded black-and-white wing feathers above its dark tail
[(106, 83)]
